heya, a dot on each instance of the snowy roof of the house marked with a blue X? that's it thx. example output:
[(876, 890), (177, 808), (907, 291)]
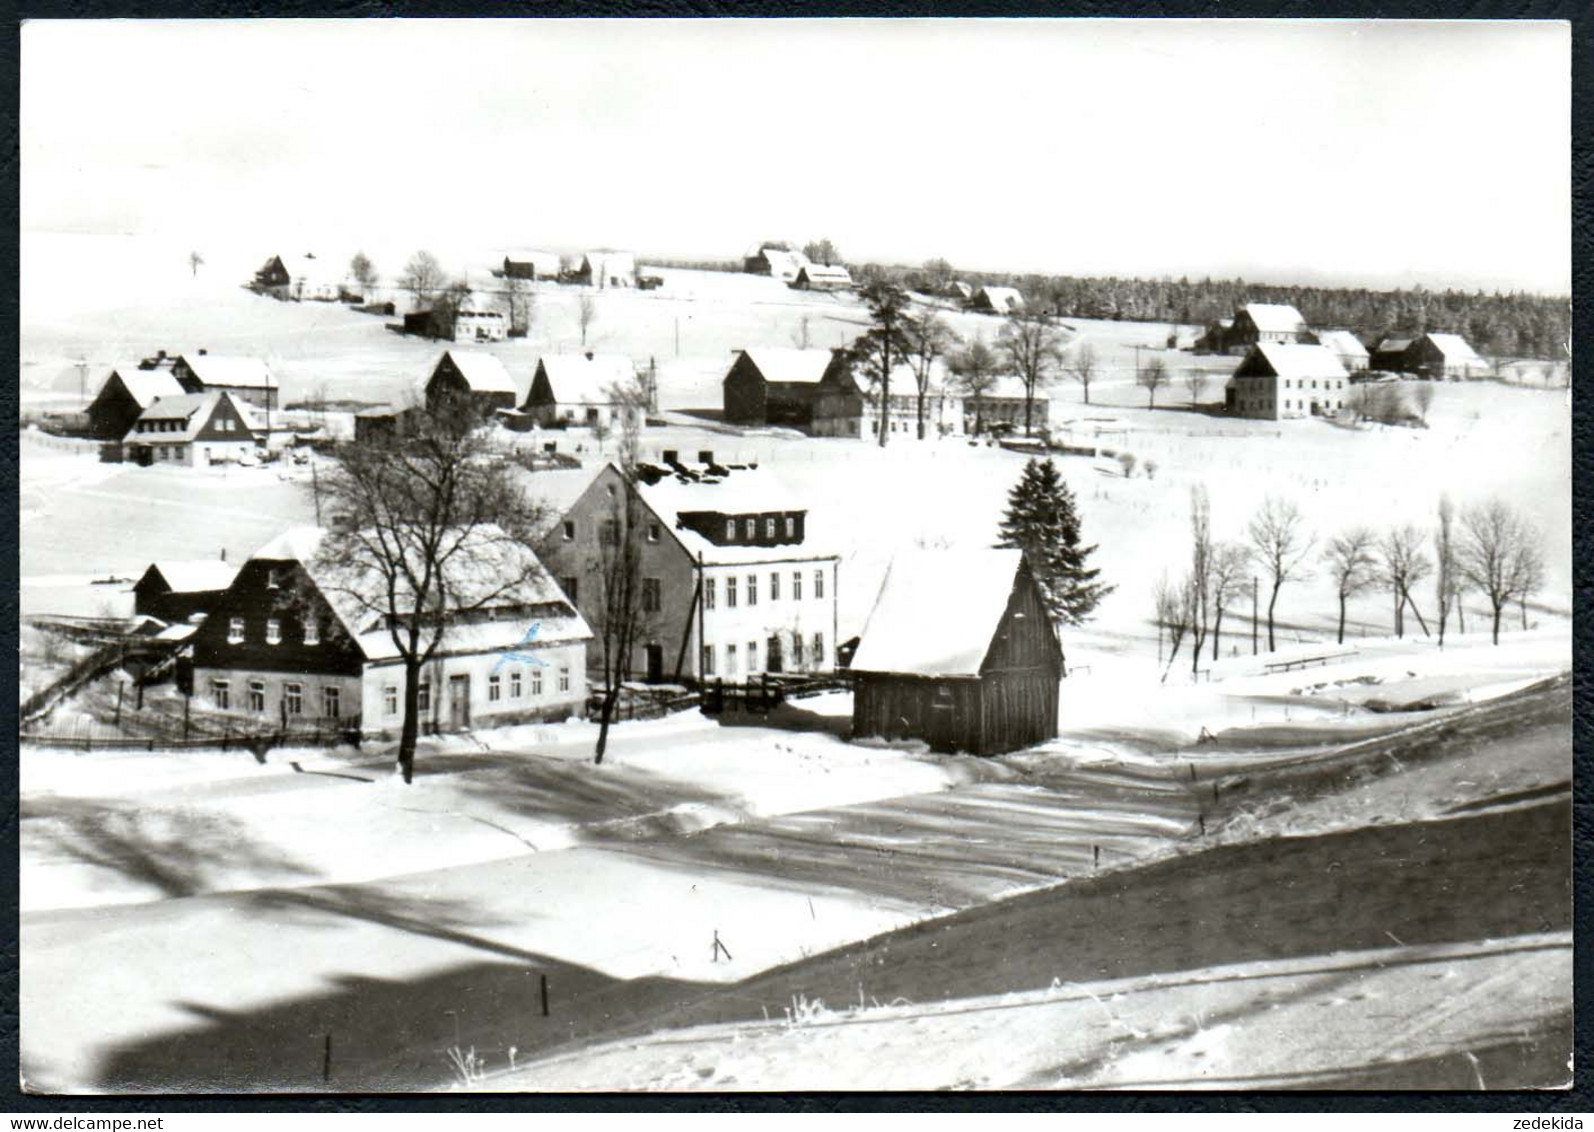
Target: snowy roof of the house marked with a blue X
[(485, 560)]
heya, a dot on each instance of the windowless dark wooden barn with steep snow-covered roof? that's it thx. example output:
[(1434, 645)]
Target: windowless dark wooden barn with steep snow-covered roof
[(959, 653)]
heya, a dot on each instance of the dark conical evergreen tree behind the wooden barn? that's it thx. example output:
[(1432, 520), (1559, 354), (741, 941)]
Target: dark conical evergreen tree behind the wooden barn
[(1043, 522)]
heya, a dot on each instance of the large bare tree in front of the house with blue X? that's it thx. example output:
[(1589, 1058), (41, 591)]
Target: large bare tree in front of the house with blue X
[(423, 532)]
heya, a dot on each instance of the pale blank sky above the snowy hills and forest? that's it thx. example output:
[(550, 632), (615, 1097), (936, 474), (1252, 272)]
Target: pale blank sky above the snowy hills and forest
[(1338, 152)]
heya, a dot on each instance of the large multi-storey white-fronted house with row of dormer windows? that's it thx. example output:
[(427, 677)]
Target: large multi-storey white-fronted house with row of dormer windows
[(732, 581)]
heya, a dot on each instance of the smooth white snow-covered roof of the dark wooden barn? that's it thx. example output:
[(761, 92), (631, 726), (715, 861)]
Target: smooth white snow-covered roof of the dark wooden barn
[(938, 611)]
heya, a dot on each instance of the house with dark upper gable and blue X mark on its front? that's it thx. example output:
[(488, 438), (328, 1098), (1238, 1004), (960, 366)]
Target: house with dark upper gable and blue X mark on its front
[(300, 639)]
